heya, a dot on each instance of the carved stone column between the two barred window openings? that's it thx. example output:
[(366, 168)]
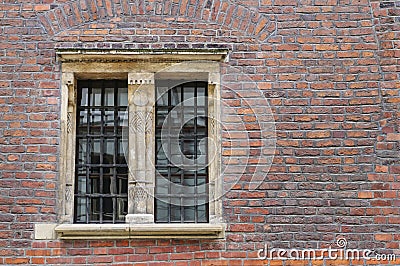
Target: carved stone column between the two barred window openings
[(141, 148)]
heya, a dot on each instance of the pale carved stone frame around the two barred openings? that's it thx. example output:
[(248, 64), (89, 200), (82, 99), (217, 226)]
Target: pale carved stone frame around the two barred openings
[(139, 68)]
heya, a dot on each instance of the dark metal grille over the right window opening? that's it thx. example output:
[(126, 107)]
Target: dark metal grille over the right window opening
[(181, 194)]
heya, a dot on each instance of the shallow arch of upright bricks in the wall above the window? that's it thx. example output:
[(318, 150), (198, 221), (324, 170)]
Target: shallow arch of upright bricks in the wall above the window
[(226, 14)]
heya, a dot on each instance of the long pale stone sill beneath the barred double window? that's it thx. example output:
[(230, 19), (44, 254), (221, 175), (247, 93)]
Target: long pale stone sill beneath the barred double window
[(131, 231)]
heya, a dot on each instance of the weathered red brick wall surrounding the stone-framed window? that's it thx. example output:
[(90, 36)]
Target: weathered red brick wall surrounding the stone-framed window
[(328, 68)]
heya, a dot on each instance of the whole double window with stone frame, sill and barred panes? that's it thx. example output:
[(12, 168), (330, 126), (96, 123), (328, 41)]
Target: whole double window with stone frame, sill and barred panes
[(135, 153)]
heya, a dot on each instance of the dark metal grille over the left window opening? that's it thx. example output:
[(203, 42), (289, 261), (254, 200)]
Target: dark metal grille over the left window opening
[(101, 171)]
